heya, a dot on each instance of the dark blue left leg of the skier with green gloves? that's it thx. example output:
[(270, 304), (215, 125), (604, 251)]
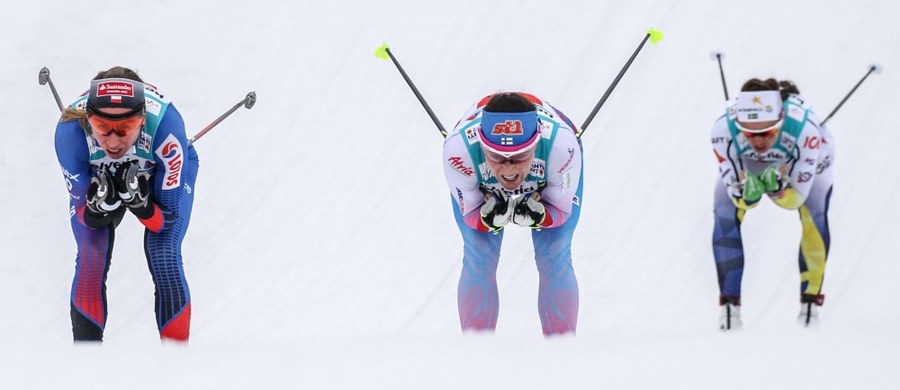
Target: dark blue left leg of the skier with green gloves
[(728, 249)]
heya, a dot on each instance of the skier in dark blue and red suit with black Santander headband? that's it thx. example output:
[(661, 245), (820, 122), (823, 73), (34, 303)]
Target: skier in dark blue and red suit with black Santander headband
[(122, 146)]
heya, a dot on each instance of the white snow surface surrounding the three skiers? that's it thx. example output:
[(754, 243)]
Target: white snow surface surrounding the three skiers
[(322, 251)]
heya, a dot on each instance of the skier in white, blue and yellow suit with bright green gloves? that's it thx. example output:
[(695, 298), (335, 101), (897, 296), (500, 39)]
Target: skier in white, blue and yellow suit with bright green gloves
[(770, 143)]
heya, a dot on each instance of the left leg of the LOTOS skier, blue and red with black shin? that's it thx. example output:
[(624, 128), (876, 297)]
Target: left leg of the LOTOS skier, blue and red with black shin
[(87, 305)]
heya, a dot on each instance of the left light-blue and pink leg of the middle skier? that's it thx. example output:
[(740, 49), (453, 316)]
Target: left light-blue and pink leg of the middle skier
[(477, 296)]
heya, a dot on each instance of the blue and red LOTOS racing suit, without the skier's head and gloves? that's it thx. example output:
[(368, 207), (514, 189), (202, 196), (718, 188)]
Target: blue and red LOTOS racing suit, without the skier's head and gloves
[(163, 152)]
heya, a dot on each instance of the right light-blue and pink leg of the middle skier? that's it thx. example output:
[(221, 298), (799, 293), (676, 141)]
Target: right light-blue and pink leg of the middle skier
[(558, 287)]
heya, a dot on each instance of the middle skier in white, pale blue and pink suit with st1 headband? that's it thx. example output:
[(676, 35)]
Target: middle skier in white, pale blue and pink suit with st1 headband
[(515, 160)]
